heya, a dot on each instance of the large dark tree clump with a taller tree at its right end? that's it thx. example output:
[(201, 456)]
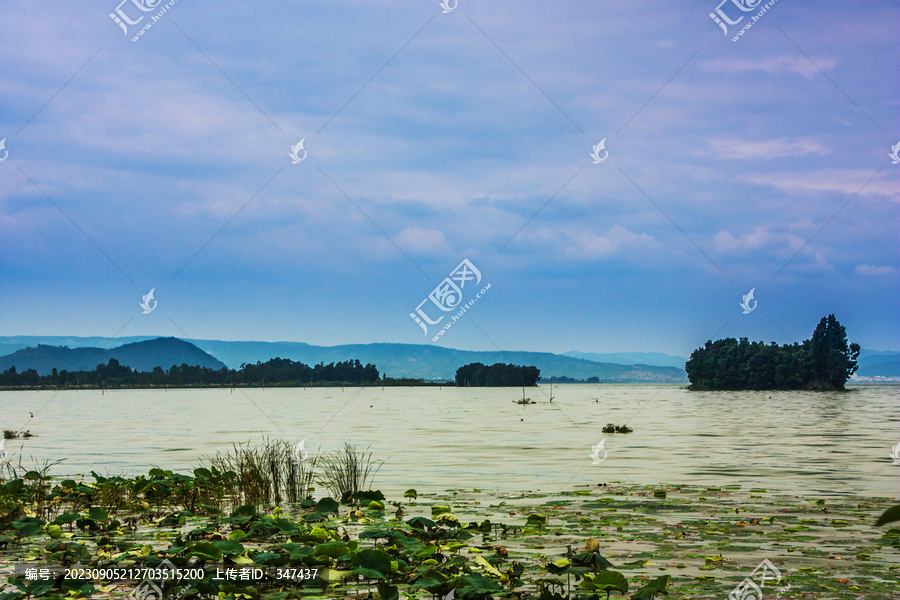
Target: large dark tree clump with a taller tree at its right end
[(824, 362)]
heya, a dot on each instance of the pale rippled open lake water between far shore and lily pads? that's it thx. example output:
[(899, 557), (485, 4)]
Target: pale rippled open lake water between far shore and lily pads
[(436, 439)]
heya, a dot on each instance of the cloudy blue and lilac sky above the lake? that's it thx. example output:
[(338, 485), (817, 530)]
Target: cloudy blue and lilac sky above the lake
[(434, 134)]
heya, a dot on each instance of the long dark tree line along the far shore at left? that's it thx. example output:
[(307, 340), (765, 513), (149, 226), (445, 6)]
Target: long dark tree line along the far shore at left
[(277, 372)]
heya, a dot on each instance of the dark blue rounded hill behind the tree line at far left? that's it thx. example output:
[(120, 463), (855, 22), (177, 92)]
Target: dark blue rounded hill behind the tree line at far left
[(141, 356)]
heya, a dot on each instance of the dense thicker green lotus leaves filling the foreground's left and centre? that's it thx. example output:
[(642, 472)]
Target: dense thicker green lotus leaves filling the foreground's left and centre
[(155, 521)]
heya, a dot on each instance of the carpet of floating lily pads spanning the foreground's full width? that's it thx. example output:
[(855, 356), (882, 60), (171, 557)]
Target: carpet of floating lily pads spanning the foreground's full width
[(121, 522)]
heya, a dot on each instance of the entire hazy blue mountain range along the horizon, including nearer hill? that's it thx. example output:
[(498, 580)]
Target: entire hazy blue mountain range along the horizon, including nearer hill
[(431, 363)]
